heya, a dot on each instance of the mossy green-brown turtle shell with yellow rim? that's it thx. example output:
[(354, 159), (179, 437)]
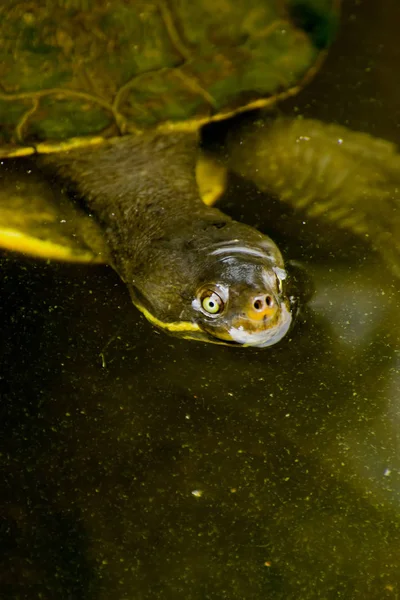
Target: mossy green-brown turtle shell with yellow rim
[(75, 72)]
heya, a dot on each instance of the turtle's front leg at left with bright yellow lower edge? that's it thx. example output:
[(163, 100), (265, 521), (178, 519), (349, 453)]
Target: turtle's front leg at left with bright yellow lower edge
[(38, 219)]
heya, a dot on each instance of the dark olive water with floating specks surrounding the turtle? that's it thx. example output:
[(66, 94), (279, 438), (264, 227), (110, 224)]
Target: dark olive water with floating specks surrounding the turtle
[(135, 466)]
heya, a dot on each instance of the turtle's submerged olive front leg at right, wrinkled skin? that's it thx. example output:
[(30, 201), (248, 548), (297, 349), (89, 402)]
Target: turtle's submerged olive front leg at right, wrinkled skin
[(330, 172)]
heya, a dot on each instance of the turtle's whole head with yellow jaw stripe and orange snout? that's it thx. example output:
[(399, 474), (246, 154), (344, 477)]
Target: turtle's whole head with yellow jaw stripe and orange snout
[(227, 288)]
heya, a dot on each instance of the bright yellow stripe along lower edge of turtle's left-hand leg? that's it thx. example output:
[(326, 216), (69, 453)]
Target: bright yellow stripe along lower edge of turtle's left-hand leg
[(19, 242)]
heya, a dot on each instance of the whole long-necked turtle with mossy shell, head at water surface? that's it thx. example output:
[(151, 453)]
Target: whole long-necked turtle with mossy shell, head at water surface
[(102, 105)]
